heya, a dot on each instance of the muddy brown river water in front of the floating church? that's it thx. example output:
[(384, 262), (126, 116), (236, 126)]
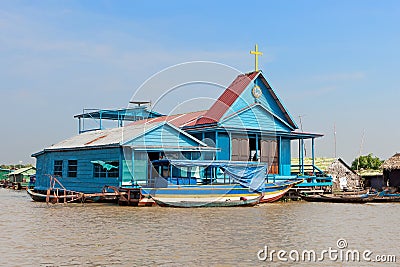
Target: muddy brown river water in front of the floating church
[(37, 234)]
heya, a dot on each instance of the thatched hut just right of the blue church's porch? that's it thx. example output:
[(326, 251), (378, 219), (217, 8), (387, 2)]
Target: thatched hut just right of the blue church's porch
[(344, 178)]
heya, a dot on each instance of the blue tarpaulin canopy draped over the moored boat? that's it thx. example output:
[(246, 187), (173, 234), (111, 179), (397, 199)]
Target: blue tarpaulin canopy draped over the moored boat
[(248, 174)]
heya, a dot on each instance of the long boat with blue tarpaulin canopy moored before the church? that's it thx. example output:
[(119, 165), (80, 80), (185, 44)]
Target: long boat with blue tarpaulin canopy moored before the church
[(208, 183)]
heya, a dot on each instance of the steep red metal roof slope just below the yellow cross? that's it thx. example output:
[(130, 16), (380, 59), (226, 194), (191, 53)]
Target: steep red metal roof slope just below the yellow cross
[(227, 98)]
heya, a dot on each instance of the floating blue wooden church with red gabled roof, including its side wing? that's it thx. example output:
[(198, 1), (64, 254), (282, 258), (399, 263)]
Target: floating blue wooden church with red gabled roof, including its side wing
[(248, 122)]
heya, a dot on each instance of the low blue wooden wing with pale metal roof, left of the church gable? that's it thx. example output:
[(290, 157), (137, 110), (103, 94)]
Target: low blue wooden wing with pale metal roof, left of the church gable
[(115, 157)]
